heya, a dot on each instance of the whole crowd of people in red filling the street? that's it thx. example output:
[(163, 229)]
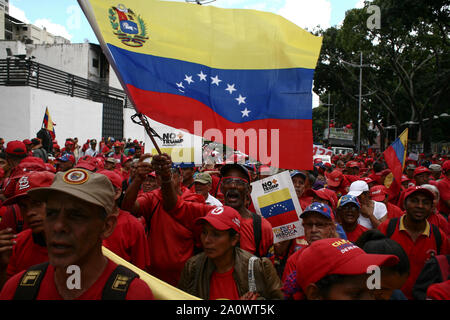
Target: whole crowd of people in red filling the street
[(196, 227)]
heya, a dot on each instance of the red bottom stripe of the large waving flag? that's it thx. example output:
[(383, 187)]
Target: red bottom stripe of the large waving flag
[(295, 136)]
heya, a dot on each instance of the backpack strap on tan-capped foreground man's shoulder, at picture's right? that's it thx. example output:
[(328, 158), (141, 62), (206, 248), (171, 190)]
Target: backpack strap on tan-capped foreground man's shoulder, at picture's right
[(116, 288)]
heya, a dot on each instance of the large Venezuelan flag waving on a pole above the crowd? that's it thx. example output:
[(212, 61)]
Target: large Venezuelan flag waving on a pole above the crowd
[(228, 68)]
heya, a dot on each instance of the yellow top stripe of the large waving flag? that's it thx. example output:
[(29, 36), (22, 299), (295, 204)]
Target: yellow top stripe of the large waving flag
[(215, 37)]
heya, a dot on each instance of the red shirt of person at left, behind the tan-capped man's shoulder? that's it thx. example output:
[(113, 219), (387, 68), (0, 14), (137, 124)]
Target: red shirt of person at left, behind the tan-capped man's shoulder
[(26, 252)]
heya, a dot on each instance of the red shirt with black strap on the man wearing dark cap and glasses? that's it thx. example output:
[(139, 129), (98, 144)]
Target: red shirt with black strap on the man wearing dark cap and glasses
[(247, 237)]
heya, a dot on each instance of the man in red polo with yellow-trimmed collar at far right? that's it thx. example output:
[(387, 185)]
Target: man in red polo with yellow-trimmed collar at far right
[(415, 234)]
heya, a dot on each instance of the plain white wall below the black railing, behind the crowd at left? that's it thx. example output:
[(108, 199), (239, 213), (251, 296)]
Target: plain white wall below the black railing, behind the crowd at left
[(23, 109)]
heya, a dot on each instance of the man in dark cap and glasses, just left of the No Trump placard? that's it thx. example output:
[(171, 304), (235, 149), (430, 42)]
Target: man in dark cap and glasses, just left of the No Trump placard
[(256, 234)]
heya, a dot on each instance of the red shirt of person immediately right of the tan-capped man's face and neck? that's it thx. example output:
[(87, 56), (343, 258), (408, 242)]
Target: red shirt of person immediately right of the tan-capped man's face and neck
[(129, 241)]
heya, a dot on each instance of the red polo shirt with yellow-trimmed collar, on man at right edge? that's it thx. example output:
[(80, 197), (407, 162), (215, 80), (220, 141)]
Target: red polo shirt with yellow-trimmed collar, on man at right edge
[(418, 252)]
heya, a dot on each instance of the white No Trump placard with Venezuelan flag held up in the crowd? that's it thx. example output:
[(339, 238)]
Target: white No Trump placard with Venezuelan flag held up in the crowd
[(275, 199)]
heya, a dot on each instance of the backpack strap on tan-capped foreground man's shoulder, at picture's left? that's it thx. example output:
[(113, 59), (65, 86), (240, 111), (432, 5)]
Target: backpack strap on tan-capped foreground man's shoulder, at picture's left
[(30, 282)]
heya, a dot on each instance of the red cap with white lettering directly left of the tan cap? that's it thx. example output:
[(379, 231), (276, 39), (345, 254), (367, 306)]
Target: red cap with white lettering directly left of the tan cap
[(29, 181)]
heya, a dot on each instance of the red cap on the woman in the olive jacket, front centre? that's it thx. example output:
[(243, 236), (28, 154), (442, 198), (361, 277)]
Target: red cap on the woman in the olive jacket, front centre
[(222, 218)]
